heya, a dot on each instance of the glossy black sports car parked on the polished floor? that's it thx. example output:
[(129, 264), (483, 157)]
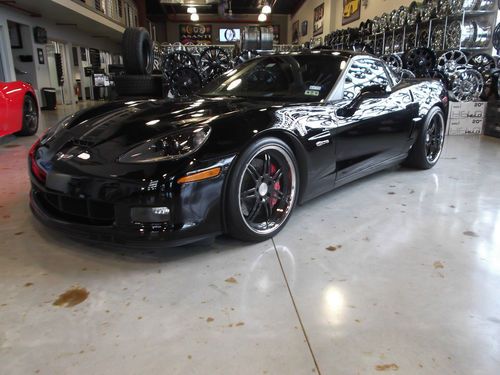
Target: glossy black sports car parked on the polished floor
[(238, 156)]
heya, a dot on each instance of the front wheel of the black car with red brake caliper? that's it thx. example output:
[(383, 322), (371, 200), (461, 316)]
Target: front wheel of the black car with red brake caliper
[(263, 187)]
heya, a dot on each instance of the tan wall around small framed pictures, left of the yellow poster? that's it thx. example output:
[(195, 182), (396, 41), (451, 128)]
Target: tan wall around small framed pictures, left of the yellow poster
[(306, 13)]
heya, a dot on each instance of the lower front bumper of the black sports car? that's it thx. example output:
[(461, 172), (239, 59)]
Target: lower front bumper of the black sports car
[(100, 211)]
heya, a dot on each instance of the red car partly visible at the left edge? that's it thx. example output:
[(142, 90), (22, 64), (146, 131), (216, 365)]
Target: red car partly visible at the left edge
[(18, 109)]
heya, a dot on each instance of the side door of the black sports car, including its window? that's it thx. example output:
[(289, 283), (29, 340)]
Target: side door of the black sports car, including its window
[(378, 126)]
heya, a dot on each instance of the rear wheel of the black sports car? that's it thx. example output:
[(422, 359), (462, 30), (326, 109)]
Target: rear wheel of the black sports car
[(427, 148)]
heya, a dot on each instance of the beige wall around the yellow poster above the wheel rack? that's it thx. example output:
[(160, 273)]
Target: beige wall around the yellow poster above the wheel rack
[(374, 8)]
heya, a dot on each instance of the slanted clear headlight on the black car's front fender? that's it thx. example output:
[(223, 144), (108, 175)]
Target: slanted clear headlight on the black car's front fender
[(171, 147)]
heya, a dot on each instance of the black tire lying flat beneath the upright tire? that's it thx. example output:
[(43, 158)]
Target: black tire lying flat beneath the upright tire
[(136, 85)]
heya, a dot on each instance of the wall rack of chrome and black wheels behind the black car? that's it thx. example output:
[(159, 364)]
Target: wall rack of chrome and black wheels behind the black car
[(451, 40)]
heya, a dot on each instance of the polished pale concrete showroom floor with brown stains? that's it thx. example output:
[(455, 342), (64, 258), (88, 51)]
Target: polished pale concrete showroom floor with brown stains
[(399, 272)]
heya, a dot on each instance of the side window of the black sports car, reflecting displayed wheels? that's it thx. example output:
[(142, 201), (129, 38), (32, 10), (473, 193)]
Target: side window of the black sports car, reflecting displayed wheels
[(362, 73)]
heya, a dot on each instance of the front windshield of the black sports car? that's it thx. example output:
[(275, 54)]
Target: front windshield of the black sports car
[(287, 77)]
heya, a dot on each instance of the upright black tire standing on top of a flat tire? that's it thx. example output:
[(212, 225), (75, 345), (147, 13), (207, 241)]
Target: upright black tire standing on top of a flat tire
[(137, 50)]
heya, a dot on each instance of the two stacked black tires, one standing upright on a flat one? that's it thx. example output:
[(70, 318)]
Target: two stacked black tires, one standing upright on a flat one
[(138, 80)]
